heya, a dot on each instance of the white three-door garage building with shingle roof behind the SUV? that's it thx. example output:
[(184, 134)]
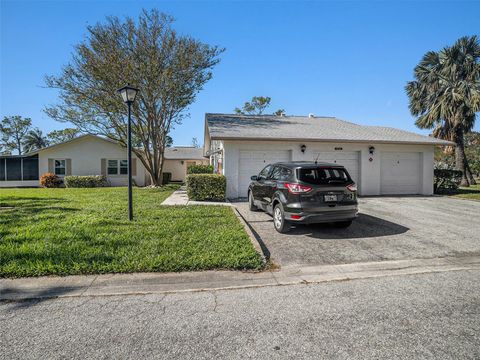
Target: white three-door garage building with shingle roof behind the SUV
[(381, 160)]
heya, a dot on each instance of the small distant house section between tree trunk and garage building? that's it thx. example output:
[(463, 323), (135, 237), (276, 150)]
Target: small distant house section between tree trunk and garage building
[(178, 159)]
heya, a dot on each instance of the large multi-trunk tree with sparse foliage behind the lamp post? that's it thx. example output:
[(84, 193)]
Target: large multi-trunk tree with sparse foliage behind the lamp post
[(168, 68)]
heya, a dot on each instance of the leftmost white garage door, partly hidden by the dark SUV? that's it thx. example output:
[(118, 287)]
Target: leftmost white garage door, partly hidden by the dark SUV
[(252, 162)]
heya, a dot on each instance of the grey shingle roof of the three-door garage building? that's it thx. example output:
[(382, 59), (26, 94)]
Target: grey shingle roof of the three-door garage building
[(243, 127)]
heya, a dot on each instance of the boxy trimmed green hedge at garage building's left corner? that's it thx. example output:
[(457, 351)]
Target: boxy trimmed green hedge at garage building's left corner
[(202, 187)]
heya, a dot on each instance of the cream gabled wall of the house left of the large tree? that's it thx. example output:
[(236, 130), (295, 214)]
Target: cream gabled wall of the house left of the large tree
[(86, 154)]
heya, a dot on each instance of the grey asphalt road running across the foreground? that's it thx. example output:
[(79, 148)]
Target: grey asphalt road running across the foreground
[(431, 316)]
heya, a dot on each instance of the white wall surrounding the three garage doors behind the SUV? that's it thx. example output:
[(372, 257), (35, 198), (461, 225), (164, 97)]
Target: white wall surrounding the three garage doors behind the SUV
[(369, 171)]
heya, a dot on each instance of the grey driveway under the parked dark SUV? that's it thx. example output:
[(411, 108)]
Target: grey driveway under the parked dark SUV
[(388, 228)]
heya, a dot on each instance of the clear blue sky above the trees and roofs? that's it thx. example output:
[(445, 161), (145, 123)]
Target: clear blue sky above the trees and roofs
[(345, 59)]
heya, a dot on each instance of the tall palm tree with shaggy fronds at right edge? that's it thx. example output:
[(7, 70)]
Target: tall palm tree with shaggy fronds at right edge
[(446, 95)]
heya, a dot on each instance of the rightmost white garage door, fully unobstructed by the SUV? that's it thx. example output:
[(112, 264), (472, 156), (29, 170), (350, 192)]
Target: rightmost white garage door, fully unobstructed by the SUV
[(400, 173)]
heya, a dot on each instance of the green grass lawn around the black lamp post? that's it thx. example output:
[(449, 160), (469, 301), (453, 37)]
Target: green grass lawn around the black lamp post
[(86, 231)]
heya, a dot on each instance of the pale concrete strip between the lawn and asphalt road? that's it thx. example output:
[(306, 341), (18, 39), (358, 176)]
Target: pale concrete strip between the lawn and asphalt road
[(149, 283)]
